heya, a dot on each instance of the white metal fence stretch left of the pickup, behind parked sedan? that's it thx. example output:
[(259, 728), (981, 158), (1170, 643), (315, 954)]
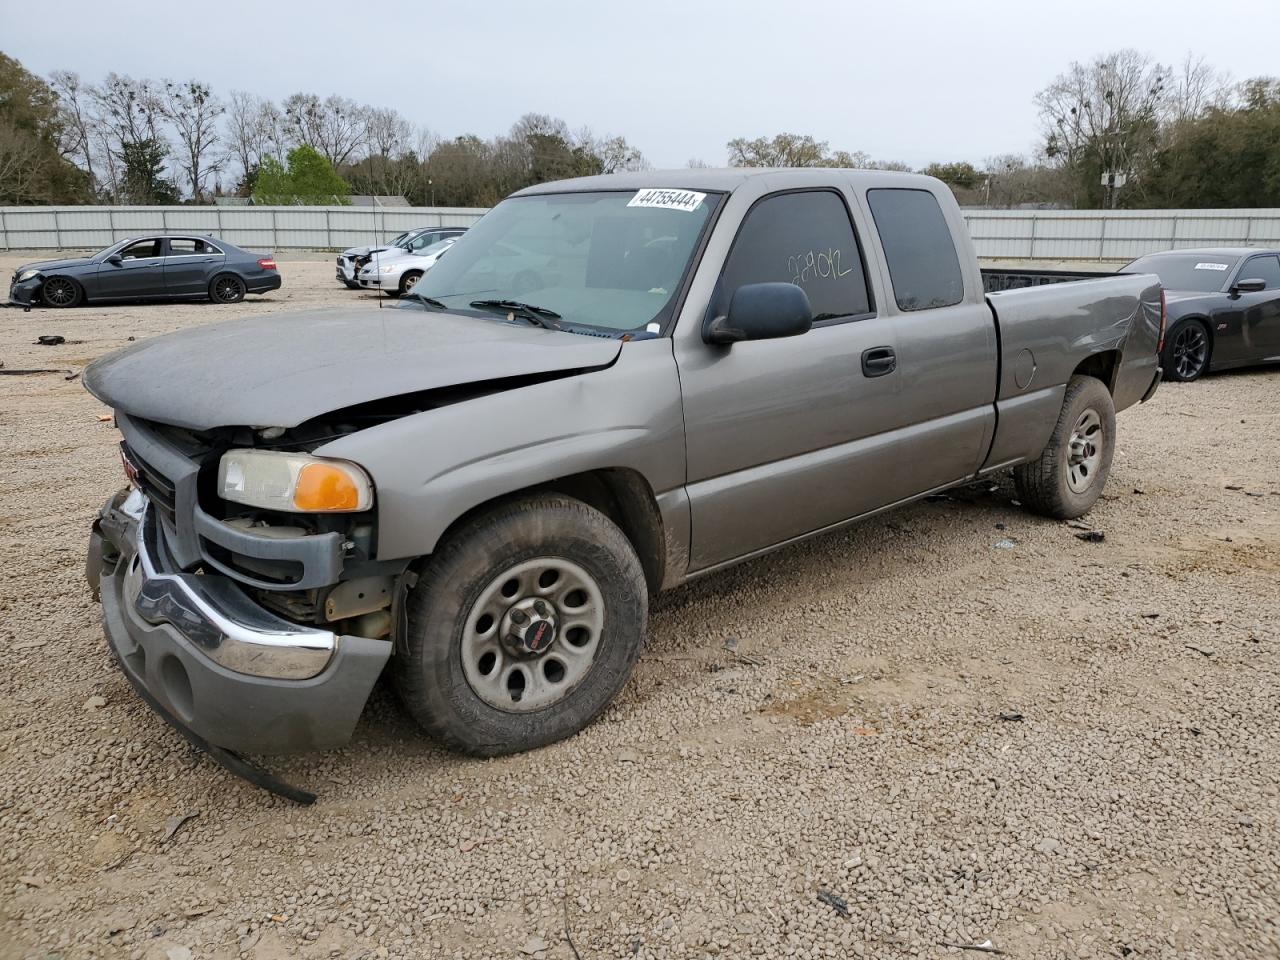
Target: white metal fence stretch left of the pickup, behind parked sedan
[(259, 228)]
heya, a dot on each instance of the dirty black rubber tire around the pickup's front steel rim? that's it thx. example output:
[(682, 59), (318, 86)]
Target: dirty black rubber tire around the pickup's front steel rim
[(432, 679)]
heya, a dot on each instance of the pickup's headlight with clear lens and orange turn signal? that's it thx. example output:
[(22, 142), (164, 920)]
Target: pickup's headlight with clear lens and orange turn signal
[(294, 482)]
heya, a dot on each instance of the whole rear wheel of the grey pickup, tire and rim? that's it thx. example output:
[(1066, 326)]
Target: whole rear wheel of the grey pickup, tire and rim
[(1053, 484)]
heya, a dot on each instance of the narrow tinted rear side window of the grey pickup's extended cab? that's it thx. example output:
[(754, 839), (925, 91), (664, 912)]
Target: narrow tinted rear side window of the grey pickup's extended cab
[(922, 258)]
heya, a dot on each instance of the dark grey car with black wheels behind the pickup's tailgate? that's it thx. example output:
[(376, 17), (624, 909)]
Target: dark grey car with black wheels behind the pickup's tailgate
[(1224, 308)]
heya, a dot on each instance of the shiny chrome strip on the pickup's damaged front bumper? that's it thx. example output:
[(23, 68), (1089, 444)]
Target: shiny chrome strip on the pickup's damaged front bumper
[(214, 616)]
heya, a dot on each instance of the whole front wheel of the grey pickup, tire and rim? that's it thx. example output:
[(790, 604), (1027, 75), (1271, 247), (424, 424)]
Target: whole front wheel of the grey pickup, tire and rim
[(524, 627)]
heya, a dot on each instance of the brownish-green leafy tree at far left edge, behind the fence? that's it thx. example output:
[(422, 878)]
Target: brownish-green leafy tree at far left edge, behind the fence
[(33, 170)]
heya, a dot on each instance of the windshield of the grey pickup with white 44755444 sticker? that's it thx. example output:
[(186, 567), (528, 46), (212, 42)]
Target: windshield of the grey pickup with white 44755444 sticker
[(607, 260)]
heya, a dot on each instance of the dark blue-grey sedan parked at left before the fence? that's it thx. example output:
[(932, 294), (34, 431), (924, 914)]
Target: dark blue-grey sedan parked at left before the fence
[(185, 267)]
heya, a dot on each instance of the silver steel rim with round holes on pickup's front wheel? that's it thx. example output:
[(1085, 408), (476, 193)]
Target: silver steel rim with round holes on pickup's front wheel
[(519, 680)]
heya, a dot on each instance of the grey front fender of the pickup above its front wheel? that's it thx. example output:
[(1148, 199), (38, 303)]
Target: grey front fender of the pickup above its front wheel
[(432, 468)]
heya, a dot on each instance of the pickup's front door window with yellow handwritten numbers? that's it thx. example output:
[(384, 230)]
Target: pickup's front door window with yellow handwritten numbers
[(807, 240)]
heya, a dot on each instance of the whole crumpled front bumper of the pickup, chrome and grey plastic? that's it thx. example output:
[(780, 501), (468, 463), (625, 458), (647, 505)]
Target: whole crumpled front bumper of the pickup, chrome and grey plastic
[(214, 662)]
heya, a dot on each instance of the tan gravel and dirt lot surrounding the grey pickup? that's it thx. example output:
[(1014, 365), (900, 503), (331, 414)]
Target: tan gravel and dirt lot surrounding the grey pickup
[(900, 737)]
